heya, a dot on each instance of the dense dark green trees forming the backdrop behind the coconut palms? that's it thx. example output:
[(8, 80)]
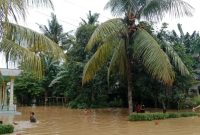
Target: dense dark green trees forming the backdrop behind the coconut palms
[(64, 79)]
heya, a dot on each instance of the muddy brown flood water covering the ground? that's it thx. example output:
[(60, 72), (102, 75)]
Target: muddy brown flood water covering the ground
[(62, 121)]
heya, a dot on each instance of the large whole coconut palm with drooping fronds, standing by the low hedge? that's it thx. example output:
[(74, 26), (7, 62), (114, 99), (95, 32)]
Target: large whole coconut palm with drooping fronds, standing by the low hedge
[(127, 42)]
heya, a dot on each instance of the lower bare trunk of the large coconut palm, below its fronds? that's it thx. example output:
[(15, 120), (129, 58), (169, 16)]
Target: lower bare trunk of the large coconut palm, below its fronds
[(130, 88)]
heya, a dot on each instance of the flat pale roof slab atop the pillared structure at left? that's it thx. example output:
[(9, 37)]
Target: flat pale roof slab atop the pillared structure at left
[(10, 72)]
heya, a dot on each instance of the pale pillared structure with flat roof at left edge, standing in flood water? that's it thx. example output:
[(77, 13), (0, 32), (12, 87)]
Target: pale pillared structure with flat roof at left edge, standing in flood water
[(7, 77)]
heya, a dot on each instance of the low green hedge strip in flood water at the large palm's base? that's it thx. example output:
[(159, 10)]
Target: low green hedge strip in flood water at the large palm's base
[(159, 116)]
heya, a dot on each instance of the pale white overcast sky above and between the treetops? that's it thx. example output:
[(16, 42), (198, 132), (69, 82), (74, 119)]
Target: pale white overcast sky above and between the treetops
[(70, 12)]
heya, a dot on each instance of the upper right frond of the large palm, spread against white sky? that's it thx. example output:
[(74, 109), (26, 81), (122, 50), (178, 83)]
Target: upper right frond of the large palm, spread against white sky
[(157, 9)]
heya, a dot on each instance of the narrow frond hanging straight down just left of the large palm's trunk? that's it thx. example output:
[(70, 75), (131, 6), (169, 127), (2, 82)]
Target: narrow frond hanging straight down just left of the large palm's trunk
[(118, 61)]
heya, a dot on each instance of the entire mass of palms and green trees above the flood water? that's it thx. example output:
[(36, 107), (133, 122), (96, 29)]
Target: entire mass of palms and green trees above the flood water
[(123, 57)]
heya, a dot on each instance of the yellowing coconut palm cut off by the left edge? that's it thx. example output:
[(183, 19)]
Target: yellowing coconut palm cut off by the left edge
[(23, 44)]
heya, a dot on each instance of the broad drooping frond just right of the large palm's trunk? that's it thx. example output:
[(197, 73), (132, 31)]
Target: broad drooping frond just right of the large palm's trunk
[(155, 60)]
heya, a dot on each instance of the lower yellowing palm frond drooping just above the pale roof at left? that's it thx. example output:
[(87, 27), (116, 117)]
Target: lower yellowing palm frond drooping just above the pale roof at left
[(28, 59)]
